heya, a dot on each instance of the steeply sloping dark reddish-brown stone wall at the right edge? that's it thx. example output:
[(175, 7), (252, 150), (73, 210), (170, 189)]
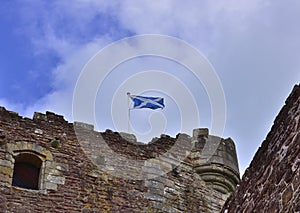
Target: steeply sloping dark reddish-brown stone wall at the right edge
[(272, 181)]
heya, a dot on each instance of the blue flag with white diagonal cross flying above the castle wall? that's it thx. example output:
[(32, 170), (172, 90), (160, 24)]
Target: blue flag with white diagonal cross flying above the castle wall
[(140, 102)]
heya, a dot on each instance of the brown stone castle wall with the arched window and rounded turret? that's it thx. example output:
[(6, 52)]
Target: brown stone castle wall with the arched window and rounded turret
[(87, 171)]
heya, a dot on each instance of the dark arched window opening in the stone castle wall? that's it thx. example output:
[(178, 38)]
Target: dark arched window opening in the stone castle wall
[(27, 171)]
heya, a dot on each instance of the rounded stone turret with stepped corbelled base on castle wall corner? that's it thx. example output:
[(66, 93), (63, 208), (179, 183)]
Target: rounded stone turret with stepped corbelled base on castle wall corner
[(215, 160)]
